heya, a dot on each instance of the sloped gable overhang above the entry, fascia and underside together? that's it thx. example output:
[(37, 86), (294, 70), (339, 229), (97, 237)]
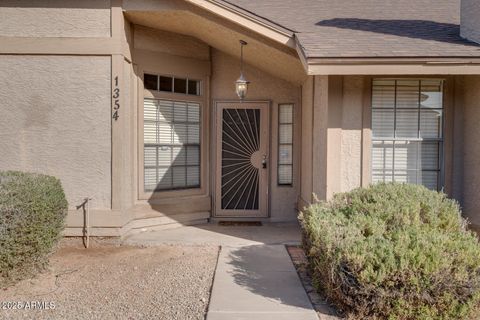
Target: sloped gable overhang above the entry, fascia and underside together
[(221, 27)]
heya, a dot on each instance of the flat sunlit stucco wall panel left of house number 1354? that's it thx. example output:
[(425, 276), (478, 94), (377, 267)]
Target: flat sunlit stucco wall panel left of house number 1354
[(55, 119)]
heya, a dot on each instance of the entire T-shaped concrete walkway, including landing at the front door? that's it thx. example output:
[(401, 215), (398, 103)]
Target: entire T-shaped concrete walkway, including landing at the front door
[(255, 277)]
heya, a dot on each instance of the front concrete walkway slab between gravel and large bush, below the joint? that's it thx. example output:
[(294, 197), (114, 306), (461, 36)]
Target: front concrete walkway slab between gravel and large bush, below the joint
[(258, 282)]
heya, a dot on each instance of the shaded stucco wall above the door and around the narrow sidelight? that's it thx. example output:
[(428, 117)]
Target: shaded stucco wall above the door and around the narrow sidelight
[(225, 70)]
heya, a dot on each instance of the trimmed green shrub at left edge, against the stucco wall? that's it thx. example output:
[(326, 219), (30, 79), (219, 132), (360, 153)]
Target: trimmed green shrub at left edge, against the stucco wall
[(32, 214)]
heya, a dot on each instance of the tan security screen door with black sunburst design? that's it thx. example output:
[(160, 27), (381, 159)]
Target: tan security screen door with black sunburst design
[(241, 159)]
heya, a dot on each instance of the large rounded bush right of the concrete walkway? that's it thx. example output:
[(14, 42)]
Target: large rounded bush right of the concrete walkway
[(393, 251)]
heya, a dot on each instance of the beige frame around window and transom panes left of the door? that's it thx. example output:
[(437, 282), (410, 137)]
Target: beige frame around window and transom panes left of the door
[(179, 97)]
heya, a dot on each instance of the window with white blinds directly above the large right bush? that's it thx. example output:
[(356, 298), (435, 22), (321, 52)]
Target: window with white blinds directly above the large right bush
[(407, 131)]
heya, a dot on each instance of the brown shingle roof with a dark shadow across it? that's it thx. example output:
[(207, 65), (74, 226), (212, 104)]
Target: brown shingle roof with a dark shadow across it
[(369, 28)]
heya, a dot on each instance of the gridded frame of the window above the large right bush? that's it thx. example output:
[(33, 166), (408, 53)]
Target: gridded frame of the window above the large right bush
[(441, 141)]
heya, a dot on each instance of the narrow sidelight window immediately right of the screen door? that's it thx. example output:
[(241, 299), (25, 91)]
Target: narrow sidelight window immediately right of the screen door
[(285, 144)]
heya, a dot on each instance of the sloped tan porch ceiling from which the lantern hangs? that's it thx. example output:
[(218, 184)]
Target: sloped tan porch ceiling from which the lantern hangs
[(261, 52)]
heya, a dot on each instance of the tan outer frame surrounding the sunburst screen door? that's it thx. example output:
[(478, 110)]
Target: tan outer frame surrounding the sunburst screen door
[(264, 207)]
